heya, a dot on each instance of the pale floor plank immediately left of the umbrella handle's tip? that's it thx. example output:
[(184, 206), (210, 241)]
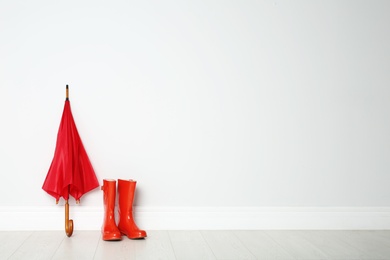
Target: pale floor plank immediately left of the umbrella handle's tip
[(39, 245)]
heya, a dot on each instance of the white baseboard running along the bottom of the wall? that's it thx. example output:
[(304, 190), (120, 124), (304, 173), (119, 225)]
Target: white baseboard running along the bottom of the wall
[(203, 218)]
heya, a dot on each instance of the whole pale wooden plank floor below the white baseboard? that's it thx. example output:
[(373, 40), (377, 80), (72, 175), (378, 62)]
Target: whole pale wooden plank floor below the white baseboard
[(198, 245)]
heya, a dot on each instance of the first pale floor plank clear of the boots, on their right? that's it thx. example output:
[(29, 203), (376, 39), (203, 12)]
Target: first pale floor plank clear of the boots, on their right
[(189, 245)]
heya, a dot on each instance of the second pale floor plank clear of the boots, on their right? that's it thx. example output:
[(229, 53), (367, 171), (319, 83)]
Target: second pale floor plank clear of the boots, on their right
[(226, 245)]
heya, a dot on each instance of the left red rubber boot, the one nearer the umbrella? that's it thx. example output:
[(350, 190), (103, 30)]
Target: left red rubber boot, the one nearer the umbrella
[(109, 229)]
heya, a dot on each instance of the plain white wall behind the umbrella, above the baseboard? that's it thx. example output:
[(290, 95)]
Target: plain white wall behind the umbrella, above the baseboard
[(206, 103)]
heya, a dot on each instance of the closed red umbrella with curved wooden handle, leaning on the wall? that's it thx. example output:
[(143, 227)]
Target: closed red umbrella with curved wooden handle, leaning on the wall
[(70, 172)]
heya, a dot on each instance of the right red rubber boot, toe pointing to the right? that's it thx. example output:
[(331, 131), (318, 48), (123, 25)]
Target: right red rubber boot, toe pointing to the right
[(127, 226)]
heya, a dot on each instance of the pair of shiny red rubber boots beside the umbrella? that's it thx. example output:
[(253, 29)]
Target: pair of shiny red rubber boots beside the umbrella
[(126, 226)]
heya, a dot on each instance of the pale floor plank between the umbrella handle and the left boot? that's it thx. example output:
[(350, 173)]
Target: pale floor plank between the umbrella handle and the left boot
[(82, 245)]
